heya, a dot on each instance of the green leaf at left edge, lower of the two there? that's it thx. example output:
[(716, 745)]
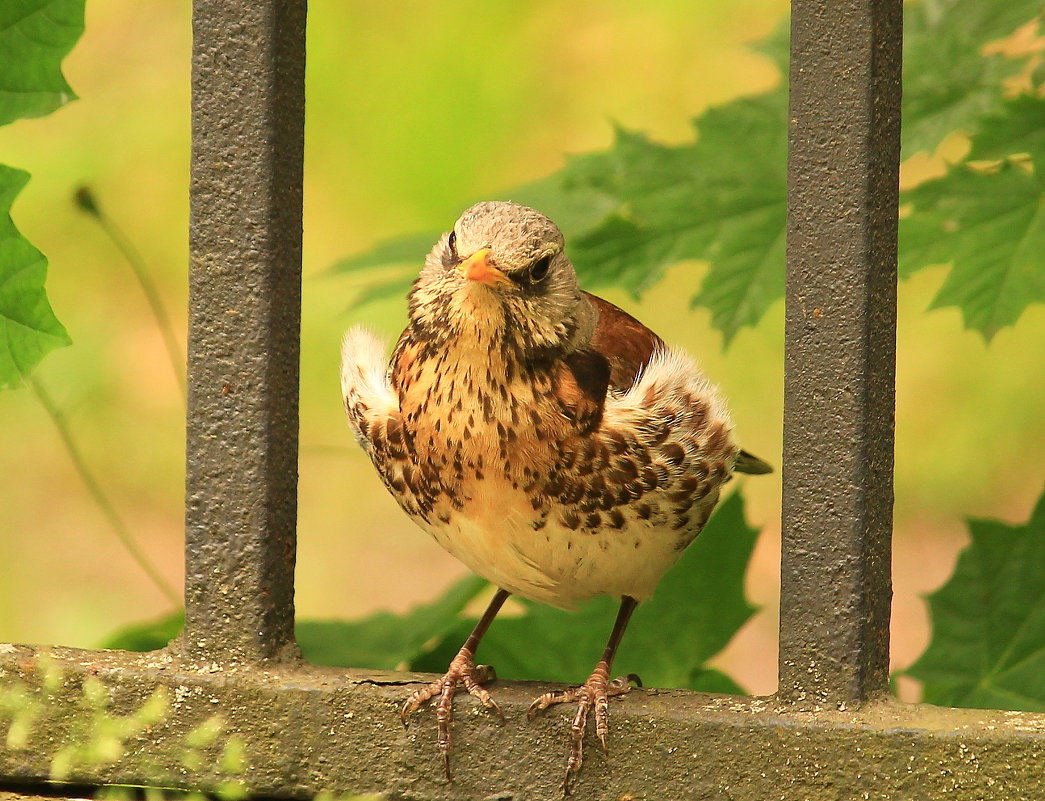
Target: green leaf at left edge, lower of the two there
[(29, 328)]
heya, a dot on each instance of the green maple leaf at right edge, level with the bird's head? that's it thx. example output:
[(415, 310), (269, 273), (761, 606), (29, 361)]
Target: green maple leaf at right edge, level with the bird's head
[(991, 227)]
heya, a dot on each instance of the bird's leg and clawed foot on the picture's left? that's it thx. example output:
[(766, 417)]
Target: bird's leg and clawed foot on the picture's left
[(462, 671)]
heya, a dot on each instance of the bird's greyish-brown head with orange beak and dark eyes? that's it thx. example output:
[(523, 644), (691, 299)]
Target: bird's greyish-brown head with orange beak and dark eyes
[(500, 277)]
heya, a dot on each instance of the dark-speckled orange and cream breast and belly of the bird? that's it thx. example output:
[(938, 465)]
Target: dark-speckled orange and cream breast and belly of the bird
[(493, 466)]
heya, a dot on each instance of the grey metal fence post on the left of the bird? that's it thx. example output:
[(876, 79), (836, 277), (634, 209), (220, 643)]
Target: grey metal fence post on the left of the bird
[(245, 317)]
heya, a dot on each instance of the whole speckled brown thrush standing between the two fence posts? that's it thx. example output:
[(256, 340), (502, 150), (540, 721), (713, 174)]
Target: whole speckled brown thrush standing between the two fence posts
[(544, 437)]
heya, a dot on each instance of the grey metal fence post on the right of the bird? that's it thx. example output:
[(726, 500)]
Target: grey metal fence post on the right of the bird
[(841, 332)]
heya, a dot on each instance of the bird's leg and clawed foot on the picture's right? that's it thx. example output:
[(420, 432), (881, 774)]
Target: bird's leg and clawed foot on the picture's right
[(595, 693)]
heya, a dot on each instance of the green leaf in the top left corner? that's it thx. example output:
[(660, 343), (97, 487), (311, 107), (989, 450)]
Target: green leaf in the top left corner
[(35, 37)]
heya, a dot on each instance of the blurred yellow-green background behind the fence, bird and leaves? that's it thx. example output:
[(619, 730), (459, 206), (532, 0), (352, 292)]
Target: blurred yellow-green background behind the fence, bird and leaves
[(416, 110)]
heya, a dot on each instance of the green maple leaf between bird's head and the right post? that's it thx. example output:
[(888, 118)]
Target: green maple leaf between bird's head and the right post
[(723, 199)]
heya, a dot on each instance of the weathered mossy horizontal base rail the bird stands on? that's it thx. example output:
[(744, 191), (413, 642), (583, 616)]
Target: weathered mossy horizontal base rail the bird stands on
[(146, 719)]
